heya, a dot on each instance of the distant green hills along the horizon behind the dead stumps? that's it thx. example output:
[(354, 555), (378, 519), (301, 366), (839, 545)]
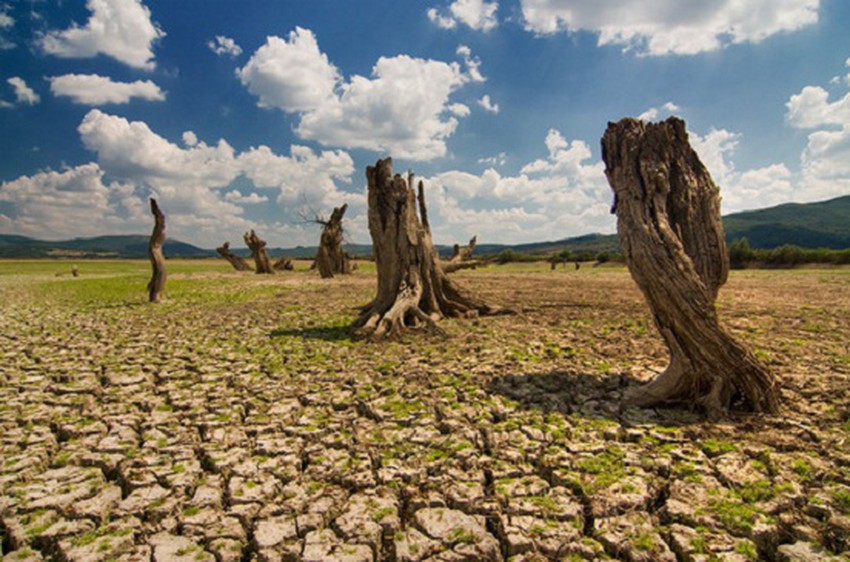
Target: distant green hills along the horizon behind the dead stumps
[(808, 225)]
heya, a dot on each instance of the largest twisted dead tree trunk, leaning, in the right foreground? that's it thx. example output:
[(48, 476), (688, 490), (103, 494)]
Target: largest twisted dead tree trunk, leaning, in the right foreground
[(668, 221)]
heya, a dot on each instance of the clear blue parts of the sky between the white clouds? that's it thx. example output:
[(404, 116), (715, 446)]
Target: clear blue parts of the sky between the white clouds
[(563, 81)]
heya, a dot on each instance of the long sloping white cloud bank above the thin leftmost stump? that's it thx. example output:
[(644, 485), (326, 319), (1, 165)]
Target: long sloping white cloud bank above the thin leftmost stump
[(196, 183)]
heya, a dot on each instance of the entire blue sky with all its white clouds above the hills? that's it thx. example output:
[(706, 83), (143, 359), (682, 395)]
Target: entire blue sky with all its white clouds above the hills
[(261, 114)]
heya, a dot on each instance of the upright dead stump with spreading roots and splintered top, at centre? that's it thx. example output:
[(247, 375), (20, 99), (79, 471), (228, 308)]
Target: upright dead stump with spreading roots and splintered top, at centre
[(412, 287)]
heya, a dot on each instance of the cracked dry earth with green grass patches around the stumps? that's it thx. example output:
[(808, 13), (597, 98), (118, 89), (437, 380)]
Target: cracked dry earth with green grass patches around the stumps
[(239, 420)]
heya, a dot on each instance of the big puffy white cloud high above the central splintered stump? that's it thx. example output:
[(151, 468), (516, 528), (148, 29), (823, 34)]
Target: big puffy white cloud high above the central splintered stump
[(404, 107)]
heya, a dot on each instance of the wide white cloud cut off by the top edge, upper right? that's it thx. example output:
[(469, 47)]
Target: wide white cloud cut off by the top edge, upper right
[(671, 27)]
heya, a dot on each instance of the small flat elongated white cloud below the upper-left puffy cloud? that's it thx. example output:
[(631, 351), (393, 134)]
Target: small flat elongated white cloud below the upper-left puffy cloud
[(93, 89)]
